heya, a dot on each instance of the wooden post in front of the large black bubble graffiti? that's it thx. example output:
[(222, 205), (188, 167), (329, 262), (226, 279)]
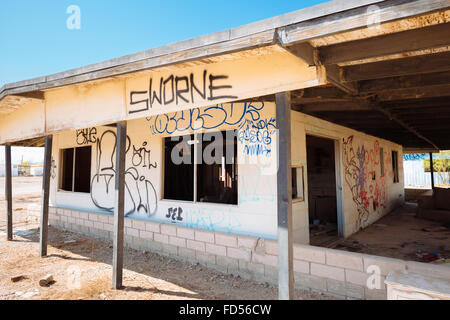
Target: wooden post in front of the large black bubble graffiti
[(119, 205)]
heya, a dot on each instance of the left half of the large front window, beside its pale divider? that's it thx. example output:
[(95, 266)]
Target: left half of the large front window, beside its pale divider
[(179, 177)]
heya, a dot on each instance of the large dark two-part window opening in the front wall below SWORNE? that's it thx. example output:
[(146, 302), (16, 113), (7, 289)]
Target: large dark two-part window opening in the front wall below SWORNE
[(215, 180)]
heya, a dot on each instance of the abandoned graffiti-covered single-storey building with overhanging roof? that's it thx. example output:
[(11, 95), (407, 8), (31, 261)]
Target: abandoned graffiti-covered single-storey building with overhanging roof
[(317, 106)]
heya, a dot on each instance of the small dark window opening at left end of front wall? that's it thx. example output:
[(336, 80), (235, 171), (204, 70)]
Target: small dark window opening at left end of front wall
[(76, 169)]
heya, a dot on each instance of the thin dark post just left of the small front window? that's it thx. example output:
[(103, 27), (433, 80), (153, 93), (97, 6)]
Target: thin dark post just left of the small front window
[(45, 196)]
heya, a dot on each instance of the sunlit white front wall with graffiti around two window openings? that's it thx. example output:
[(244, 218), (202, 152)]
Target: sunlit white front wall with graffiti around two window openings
[(254, 215)]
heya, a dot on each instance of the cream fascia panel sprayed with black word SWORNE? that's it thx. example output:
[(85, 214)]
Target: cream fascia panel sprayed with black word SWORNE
[(235, 80)]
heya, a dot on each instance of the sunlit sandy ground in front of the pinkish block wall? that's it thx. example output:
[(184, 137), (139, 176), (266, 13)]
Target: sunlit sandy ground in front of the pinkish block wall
[(81, 268)]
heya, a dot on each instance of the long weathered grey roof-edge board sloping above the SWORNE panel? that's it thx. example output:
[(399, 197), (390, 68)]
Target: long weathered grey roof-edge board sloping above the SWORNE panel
[(227, 37)]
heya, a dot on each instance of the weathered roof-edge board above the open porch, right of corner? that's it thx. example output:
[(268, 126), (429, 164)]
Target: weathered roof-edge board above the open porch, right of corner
[(360, 18)]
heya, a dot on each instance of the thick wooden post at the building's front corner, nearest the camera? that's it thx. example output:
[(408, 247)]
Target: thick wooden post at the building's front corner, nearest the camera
[(284, 196)]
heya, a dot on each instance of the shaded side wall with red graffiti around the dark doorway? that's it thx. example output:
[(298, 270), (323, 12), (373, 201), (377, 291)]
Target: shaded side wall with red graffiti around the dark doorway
[(367, 196)]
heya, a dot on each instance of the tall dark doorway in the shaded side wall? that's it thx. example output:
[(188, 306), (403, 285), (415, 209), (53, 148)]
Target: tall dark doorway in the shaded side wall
[(322, 192)]
